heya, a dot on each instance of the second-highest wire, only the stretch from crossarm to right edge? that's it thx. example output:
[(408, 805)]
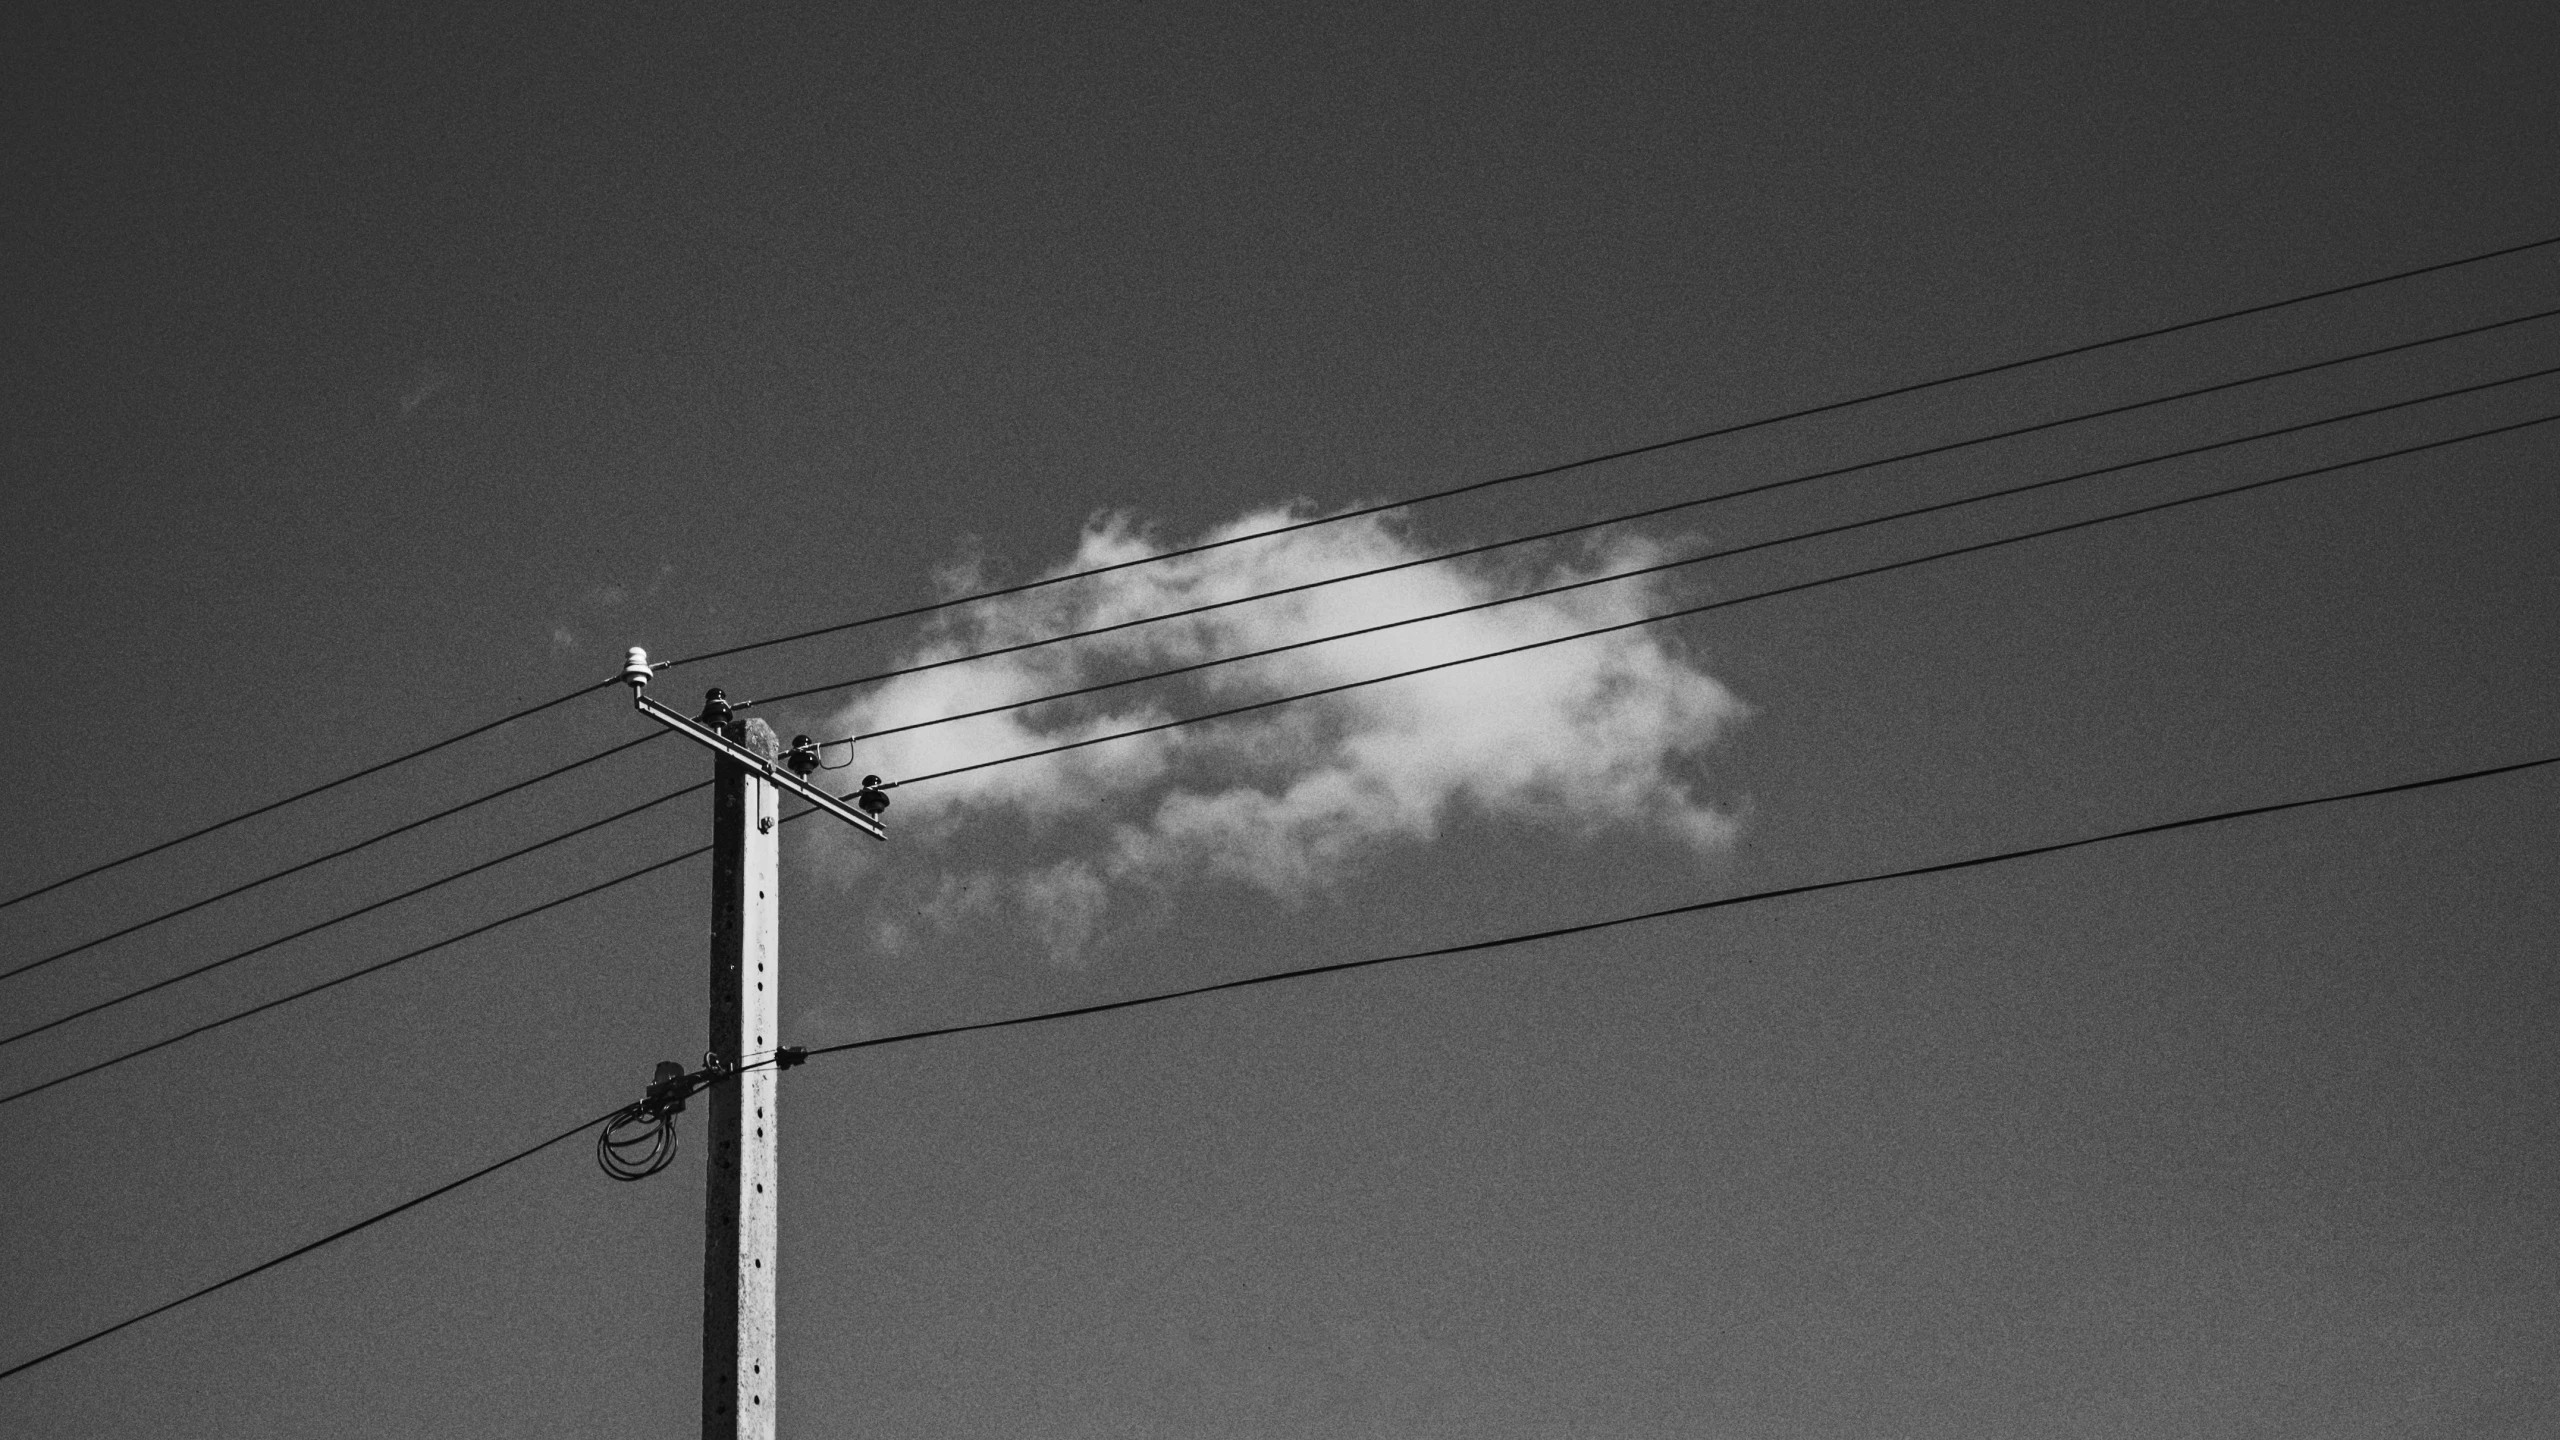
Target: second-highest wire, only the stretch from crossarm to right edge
[(1652, 511)]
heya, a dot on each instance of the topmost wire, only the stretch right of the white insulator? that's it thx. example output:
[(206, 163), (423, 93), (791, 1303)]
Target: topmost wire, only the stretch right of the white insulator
[(1632, 452)]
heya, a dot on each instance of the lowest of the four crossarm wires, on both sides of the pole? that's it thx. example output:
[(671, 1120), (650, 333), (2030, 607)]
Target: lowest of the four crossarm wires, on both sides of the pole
[(1816, 583)]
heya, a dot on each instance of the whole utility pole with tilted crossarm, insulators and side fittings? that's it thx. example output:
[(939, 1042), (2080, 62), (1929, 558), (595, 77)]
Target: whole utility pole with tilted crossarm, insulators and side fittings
[(744, 1175)]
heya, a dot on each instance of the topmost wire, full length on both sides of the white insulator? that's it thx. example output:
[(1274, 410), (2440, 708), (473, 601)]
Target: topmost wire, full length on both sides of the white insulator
[(1732, 429)]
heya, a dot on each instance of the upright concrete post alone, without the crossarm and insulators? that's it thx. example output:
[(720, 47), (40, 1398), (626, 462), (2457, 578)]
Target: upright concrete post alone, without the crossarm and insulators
[(741, 1182)]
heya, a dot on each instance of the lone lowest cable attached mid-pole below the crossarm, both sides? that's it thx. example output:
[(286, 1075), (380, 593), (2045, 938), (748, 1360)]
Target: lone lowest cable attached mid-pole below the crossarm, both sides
[(1343, 967)]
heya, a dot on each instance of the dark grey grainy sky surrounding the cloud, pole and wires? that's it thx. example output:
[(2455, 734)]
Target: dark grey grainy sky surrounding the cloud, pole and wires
[(380, 373)]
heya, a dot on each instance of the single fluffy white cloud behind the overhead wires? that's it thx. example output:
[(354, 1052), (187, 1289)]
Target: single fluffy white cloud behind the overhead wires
[(1583, 739)]
